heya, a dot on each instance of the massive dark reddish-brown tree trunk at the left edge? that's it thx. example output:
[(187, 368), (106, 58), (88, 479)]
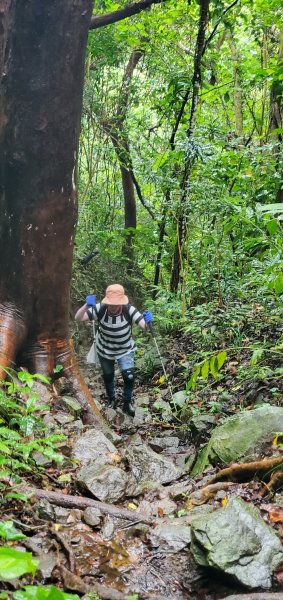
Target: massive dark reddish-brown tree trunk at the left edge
[(42, 45)]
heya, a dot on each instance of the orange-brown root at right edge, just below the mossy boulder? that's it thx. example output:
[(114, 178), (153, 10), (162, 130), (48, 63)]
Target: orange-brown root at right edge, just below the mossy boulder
[(244, 471)]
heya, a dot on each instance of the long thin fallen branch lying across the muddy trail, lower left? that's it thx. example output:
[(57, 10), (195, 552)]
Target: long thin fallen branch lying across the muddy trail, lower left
[(81, 503)]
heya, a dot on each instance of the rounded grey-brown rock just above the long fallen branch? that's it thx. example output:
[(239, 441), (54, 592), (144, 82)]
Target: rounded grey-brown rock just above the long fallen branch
[(105, 482)]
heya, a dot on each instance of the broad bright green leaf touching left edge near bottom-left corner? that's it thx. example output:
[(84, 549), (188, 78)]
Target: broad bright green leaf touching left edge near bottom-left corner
[(14, 564)]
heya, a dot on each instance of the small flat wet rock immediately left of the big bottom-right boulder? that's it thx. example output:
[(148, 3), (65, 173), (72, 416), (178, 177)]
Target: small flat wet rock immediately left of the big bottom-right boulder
[(170, 537)]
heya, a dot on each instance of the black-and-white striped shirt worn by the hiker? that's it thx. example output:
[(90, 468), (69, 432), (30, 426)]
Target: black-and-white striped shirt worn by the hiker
[(114, 336)]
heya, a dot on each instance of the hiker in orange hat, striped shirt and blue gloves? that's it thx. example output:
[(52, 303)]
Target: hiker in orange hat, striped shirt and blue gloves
[(114, 339)]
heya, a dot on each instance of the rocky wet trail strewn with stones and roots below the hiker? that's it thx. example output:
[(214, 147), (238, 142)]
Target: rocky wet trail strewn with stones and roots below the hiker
[(123, 517)]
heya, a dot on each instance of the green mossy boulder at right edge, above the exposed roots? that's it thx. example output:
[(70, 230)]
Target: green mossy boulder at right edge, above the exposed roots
[(240, 436)]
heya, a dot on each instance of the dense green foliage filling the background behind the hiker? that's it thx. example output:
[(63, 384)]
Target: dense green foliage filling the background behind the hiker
[(204, 160)]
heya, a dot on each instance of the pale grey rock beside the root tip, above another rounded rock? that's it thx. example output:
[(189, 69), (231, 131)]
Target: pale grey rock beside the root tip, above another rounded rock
[(91, 446)]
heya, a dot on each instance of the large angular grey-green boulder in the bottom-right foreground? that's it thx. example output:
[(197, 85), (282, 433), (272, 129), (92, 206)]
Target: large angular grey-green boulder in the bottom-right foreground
[(236, 541)]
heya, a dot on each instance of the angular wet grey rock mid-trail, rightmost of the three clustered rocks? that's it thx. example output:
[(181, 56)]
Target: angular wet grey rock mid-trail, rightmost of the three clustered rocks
[(147, 465)]
